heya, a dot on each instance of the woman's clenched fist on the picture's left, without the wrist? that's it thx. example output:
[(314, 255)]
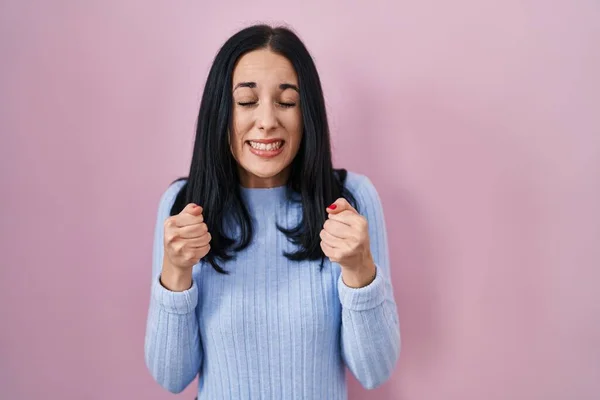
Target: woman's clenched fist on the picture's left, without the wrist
[(187, 239)]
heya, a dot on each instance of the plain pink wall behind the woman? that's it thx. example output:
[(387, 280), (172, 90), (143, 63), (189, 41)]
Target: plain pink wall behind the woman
[(478, 121)]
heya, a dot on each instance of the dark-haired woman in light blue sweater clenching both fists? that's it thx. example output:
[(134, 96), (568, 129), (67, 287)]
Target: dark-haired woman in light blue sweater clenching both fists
[(270, 268)]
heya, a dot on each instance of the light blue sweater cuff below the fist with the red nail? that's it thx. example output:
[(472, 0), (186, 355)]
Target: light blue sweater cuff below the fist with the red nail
[(365, 298)]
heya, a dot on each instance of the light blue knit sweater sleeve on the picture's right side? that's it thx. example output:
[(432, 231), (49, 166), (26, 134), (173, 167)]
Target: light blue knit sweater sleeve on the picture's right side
[(370, 334)]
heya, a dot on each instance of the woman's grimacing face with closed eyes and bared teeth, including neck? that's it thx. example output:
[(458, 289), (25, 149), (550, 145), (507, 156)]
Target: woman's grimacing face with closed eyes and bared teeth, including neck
[(267, 121)]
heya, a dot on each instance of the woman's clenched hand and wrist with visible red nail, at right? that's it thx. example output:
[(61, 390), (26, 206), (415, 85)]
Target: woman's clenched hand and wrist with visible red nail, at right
[(345, 240)]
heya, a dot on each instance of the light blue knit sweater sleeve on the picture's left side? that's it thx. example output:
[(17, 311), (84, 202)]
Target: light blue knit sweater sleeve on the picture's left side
[(172, 342)]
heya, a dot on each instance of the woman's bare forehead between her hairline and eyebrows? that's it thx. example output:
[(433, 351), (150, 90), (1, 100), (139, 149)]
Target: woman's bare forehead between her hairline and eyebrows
[(264, 67)]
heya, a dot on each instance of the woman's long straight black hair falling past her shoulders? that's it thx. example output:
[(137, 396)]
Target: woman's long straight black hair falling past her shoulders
[(213, 180)]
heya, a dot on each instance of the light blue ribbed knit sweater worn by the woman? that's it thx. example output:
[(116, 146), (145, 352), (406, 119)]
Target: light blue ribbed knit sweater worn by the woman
[(274, 328)]
